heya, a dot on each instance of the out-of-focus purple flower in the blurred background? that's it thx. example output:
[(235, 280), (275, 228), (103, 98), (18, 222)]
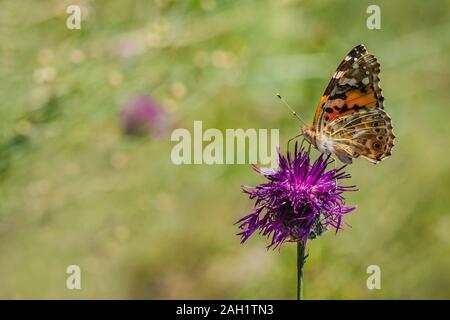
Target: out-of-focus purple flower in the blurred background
[(141, 115)]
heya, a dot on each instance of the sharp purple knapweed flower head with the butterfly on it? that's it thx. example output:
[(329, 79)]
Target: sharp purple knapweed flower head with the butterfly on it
[(300, 201)]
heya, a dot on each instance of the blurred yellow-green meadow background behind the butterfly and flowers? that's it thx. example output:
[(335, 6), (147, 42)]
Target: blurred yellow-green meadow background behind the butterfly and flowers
[(75, 190)]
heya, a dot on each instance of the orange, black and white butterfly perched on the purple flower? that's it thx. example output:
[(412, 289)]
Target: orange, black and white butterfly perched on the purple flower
[(350, 121)]
